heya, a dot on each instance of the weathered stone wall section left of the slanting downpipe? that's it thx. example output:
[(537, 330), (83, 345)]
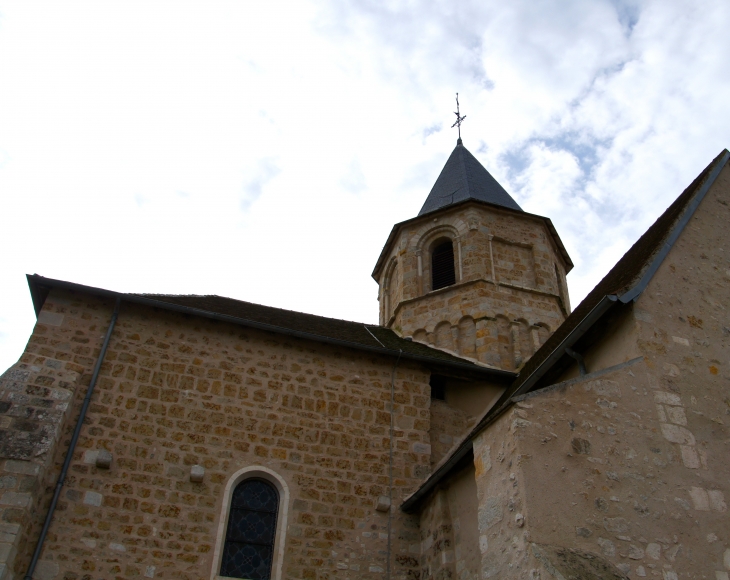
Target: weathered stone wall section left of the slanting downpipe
[(37, 400)]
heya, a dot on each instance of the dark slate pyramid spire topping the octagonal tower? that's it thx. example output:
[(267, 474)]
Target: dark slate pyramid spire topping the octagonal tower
[(463, 177)]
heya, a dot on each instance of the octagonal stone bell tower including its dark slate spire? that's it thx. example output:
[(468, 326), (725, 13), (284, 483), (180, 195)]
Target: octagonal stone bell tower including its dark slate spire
[(472, 273)]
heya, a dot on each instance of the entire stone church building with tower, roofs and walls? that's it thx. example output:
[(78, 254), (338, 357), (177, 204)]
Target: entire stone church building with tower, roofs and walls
[(481, 430)]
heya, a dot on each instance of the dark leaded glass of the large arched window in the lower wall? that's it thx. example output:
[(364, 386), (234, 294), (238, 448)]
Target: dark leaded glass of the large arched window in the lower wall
[(249, 548)]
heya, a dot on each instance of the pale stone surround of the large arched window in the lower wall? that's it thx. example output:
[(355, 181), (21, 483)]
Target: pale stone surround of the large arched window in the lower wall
[(260, 472)]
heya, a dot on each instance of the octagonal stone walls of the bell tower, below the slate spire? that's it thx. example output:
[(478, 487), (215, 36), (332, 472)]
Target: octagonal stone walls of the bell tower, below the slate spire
[(500, 310)]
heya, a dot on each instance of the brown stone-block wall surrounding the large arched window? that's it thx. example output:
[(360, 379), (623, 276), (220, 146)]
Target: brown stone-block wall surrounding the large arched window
[(177, 391)]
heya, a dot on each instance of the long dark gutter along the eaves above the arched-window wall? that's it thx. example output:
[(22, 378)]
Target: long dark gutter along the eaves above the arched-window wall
[(36, 281)]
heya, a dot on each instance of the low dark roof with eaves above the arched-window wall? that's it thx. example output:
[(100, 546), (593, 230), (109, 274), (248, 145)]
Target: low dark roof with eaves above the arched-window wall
[(356, 335)]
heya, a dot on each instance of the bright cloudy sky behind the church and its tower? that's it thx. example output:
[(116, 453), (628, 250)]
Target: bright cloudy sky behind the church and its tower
[(264, 151)]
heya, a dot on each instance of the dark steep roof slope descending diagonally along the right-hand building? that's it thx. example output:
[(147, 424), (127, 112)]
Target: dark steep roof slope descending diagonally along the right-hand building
[(624, 283)]
